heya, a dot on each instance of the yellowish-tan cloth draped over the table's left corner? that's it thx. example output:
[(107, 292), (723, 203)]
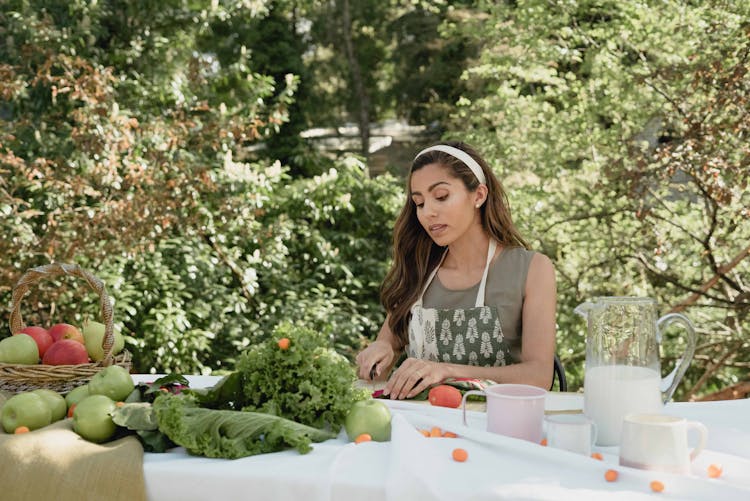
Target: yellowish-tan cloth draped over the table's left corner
[(55, 463)]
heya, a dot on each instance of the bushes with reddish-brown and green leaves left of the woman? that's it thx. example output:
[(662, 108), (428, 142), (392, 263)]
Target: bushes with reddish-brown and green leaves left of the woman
[(118, 142)]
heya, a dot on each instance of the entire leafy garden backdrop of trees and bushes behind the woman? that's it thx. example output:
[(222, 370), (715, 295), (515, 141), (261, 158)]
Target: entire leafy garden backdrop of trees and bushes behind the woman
[(160, 145)]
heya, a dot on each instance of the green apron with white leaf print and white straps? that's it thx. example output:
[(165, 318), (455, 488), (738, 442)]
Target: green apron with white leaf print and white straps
[(469, 336)]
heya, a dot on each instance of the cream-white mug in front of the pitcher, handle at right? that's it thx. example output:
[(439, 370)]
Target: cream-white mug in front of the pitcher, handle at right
[(659, 442)]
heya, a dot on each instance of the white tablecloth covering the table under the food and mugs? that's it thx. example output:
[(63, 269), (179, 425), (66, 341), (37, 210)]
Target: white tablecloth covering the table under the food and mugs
[(412, 467)]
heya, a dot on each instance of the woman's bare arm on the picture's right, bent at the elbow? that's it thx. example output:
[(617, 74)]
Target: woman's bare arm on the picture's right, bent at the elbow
[(537, 344)]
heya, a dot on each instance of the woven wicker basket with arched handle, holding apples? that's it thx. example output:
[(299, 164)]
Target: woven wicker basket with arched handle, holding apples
[(16, 378)]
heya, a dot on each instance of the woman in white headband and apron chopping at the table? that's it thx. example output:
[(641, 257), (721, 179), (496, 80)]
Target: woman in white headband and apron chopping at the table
[(464, 297)]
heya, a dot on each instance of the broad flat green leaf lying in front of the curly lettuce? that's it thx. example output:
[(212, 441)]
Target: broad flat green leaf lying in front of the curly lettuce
[(230, 434)]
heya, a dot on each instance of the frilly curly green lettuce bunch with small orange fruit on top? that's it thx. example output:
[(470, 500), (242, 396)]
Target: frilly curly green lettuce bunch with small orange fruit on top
[(309, 382)]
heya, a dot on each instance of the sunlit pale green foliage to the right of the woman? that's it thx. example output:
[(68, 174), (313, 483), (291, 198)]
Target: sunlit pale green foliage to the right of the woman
[(620, 130)]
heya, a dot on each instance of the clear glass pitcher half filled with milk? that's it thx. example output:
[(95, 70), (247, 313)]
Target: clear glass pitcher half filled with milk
[(623, 371)]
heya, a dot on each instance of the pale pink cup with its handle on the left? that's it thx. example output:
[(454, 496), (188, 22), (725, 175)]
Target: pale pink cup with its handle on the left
[(514, 410)]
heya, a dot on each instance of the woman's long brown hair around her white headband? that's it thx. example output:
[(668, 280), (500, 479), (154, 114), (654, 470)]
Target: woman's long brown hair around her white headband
[(414, 252)]
